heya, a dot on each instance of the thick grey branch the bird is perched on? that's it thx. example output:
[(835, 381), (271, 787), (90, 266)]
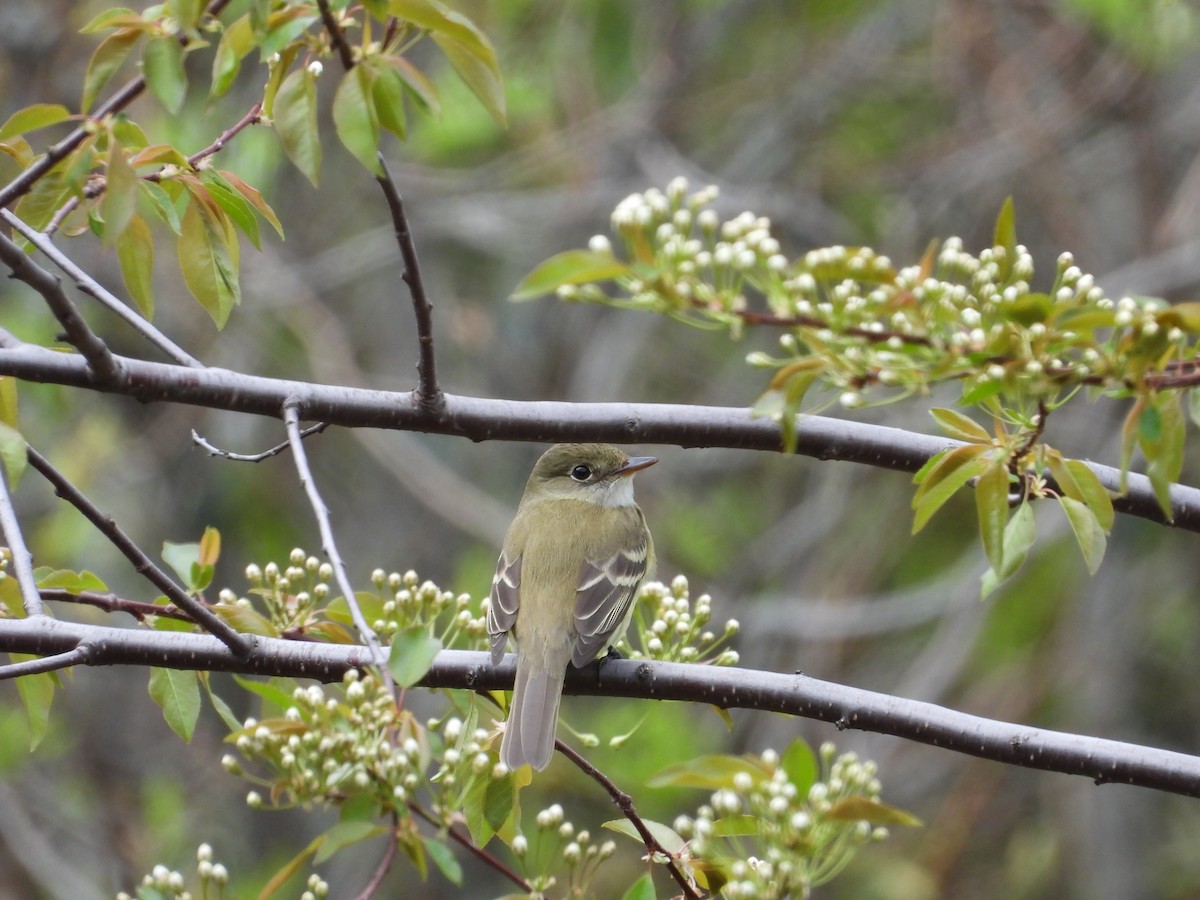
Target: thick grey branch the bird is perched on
[(1102, 760)]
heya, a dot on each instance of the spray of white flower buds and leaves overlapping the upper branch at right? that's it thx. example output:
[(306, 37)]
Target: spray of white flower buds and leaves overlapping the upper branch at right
[(861, 329)]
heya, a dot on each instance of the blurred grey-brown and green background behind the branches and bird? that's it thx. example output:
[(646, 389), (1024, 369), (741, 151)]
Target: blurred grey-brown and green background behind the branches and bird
[(847, 123)]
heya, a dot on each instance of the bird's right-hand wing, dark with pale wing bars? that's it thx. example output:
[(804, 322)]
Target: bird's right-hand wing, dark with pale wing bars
[(603, 598)]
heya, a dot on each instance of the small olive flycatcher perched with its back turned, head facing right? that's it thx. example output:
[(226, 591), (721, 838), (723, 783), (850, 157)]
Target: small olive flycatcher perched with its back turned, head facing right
[(566, 581)]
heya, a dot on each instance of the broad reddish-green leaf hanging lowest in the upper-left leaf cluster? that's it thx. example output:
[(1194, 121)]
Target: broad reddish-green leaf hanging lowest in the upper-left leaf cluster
[(208, 260)]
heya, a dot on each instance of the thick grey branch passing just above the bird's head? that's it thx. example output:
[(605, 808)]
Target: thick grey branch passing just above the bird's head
[(484, 419)]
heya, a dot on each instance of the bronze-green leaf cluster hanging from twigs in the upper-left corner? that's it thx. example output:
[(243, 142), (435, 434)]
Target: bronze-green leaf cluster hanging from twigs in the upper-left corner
[(116, 175)]
